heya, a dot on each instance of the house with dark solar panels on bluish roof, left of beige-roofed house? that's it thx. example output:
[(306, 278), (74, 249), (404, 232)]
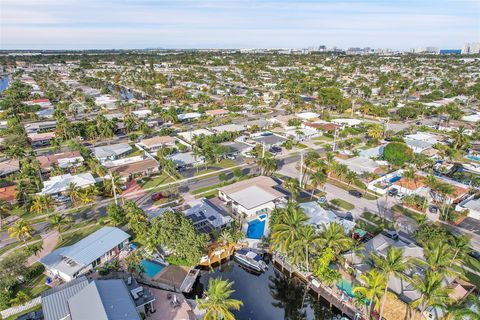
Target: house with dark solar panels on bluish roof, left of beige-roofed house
[(206, 216)]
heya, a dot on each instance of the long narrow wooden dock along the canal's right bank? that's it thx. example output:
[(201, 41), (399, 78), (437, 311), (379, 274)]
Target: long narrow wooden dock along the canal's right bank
[(330, 295)]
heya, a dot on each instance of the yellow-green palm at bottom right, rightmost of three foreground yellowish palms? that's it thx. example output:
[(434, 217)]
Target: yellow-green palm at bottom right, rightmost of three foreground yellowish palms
[(431, 289)]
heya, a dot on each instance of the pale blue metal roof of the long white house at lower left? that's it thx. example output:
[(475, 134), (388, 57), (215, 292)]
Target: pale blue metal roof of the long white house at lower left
[(95, 245)]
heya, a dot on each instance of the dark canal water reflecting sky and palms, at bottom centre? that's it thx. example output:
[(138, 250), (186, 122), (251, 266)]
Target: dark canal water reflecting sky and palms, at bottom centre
[(268, 296)]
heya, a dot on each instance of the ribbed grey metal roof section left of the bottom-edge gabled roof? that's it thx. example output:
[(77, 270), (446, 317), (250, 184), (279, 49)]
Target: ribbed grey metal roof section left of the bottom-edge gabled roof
[(55, 301)]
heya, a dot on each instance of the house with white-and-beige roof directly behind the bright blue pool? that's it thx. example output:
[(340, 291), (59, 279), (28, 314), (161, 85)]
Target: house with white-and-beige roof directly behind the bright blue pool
[(253, 196)]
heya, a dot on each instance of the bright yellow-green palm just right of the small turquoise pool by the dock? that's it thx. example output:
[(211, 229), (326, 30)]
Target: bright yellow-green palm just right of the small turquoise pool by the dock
[(372, 288)]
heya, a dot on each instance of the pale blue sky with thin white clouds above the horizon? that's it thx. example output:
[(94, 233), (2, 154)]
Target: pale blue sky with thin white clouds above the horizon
[(138, 24)]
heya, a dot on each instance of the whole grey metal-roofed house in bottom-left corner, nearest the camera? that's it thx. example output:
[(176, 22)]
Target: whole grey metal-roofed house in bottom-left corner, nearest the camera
[(82, 299)]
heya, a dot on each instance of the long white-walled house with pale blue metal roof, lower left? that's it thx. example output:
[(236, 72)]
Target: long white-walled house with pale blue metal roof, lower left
[(72, 261)]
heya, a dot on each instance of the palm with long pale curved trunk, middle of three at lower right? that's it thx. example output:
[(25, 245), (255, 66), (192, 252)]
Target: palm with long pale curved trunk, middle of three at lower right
[(393, 264)]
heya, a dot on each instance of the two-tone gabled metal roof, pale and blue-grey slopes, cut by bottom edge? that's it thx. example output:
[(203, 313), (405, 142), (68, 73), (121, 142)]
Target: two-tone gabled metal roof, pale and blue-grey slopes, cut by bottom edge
[(103, 300)]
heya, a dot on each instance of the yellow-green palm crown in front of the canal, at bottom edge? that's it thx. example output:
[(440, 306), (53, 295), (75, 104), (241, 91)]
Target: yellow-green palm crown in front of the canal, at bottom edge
[(217, 302)]
